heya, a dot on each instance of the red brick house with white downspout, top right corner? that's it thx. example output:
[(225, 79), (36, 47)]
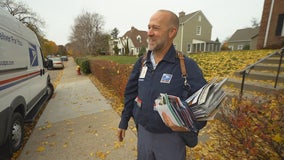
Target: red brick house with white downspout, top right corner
[(271, 32)]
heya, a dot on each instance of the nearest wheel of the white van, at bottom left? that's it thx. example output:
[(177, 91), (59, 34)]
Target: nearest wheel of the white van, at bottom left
[(15, 134)]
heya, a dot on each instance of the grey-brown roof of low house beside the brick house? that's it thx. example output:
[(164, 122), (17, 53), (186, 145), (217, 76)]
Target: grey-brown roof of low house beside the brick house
[(245, 34)]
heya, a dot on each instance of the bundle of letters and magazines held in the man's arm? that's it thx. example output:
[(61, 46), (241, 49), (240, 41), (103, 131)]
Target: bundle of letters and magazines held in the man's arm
[(201, 106)]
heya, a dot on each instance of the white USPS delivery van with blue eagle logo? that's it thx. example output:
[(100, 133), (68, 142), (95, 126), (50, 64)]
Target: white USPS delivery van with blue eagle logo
[(24, 82)]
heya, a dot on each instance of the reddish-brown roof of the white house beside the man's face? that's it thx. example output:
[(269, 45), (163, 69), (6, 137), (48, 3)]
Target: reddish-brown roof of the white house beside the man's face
[(134, 35)]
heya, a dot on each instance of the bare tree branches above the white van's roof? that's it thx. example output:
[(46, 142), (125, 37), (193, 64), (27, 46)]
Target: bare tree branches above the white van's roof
[(24, 14)]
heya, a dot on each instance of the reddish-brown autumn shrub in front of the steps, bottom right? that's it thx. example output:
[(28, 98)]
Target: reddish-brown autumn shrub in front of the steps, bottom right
[(245, 130)]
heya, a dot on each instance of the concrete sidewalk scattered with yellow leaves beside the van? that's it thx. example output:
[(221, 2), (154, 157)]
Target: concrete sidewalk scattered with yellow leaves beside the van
[(78, 124)]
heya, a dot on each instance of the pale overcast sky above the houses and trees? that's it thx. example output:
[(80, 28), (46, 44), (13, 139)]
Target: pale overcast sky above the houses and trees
[(226, 16)]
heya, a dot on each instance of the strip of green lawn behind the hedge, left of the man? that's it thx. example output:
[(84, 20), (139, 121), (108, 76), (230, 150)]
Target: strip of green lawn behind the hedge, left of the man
[(119, 59)]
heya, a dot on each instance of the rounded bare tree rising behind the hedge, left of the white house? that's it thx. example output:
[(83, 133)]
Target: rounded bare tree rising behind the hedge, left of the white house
[(87, 33)]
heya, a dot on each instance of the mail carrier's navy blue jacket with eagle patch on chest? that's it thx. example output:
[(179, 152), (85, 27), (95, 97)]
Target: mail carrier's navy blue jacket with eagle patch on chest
[(150, 87)]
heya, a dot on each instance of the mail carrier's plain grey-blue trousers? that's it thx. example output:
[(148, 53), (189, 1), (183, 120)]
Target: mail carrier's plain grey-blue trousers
[(160, 146)]
